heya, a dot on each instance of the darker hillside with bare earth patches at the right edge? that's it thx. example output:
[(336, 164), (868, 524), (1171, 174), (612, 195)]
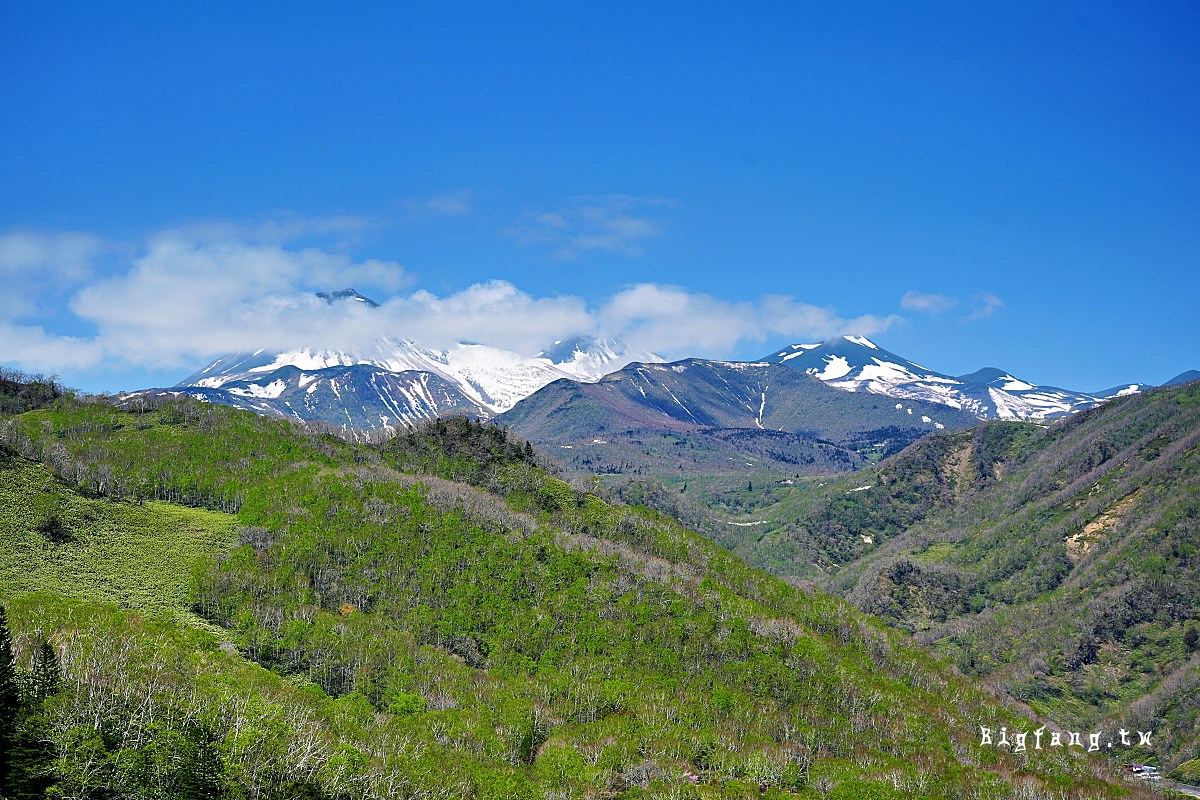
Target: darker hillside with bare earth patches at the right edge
[(1061, 563)]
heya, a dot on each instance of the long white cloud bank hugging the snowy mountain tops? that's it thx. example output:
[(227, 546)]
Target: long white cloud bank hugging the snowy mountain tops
[(185, 296)]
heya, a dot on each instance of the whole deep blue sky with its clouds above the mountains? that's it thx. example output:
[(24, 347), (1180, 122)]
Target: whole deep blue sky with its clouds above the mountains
[(1012, 185)]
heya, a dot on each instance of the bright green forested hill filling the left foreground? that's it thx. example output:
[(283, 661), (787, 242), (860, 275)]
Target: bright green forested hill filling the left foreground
[(374, 633)]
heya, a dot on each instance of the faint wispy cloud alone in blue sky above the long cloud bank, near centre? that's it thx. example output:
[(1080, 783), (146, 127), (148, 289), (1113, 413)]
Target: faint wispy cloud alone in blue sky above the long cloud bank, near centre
[(619, 224)]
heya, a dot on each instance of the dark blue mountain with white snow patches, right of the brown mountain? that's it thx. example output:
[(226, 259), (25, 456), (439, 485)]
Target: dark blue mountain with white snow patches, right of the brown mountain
[(859, 365)]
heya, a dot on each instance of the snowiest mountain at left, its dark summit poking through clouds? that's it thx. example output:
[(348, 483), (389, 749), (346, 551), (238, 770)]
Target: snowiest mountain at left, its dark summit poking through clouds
[(398, 381)]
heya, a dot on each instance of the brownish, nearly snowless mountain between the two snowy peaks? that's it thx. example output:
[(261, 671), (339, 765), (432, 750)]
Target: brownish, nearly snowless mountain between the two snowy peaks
[(721, 417)]
